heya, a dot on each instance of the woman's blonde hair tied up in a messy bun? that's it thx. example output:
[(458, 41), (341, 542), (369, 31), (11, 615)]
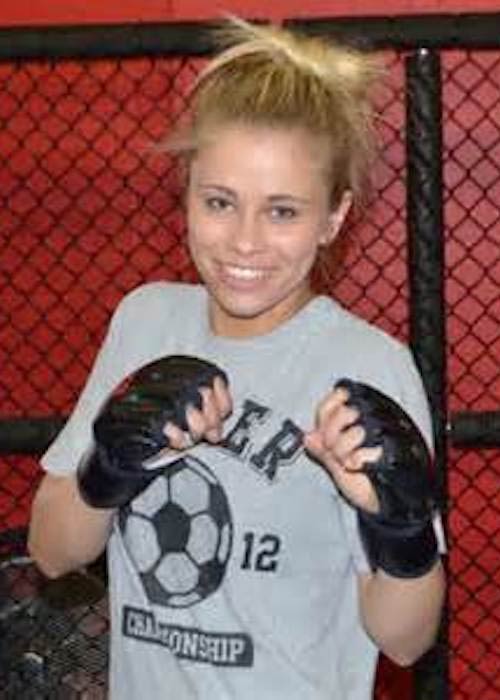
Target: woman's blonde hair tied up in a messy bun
[(270, 76)]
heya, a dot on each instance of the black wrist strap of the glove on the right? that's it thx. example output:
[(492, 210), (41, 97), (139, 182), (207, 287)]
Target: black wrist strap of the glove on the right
[(408, 551)]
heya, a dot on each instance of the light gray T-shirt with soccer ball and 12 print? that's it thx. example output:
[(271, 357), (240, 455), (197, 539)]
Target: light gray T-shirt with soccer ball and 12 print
[(233, 576)]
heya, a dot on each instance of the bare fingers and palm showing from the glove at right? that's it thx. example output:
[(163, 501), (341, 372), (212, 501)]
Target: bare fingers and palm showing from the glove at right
[(336, 441)]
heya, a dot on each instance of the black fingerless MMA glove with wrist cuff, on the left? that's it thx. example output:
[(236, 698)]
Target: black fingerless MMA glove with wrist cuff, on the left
[(129, 429)]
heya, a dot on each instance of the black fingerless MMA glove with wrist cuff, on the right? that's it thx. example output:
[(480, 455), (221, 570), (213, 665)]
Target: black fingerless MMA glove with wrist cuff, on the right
[(400, 538)]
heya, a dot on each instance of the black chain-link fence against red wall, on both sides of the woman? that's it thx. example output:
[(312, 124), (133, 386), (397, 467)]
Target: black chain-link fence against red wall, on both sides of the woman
[(89, 210)]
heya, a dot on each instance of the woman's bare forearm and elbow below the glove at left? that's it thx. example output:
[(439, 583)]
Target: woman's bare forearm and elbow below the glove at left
[(65, 533)]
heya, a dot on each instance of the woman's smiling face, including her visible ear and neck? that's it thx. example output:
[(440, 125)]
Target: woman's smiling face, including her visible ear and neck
[(258, 210)]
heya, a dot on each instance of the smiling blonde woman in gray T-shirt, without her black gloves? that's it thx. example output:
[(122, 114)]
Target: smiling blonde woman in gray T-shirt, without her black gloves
[(270, 489)]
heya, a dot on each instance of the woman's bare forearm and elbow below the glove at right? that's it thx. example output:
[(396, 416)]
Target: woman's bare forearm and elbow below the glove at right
[(402, 615)]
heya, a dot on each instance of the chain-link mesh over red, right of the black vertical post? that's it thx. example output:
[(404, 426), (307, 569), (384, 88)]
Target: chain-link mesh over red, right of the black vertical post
[(472, 178)]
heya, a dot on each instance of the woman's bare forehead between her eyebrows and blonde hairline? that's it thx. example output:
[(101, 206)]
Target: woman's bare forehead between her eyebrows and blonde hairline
[(261, 153)]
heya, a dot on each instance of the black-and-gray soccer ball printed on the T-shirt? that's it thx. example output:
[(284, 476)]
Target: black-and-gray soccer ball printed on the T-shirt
[(178, 532)]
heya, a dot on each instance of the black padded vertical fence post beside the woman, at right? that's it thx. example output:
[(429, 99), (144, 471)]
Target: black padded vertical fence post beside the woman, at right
[(427, 307)]
